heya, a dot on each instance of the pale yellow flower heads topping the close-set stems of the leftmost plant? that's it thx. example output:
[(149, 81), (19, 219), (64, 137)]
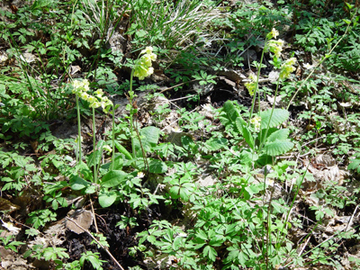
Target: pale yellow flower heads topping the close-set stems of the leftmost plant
[(80, 88)]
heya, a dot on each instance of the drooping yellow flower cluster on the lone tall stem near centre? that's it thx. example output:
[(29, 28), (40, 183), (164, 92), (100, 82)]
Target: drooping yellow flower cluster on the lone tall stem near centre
[(143, 67)]
